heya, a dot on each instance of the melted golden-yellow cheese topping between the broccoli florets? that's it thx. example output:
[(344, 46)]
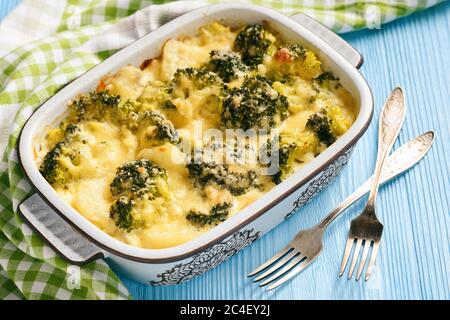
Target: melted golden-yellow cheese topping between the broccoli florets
[(106, 145)]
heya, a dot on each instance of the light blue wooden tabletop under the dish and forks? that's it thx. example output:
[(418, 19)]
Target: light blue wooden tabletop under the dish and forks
[(414, 257)]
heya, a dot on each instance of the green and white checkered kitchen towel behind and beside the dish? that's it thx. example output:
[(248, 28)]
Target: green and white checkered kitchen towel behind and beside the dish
[(44, 44)]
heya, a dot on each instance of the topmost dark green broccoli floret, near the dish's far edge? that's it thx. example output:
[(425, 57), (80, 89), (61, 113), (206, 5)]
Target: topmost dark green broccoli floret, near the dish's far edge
[(253, 43)]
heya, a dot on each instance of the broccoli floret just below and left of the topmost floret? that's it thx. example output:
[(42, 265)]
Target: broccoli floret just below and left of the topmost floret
[(227, 64)]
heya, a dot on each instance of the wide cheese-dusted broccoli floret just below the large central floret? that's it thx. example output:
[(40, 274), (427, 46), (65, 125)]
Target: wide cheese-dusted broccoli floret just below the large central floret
[(238, 183)]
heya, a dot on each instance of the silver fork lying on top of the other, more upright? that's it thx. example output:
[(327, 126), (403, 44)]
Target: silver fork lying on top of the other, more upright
[(366, 229)]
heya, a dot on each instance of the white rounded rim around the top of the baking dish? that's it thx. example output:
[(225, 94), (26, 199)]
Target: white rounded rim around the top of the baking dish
[(240, 219)]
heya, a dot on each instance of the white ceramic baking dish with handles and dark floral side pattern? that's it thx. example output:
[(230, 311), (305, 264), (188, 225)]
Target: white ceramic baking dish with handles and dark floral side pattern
[(79, 241)]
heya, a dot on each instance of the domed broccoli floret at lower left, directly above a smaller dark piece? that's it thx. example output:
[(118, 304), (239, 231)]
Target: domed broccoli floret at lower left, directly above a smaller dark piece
[(139, 179)]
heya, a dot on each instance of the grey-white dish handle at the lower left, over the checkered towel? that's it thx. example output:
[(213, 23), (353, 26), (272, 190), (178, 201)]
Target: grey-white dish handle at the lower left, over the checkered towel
[(64, 239)]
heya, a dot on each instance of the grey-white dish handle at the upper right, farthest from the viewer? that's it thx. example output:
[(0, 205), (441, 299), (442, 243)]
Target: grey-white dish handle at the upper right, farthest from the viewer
[(331, 38)]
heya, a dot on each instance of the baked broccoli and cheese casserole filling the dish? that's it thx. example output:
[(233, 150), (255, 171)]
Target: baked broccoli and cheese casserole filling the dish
[(160, 153)]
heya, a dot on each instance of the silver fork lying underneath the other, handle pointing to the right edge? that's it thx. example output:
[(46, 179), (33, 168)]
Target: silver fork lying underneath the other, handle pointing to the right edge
[(307, 244)]
